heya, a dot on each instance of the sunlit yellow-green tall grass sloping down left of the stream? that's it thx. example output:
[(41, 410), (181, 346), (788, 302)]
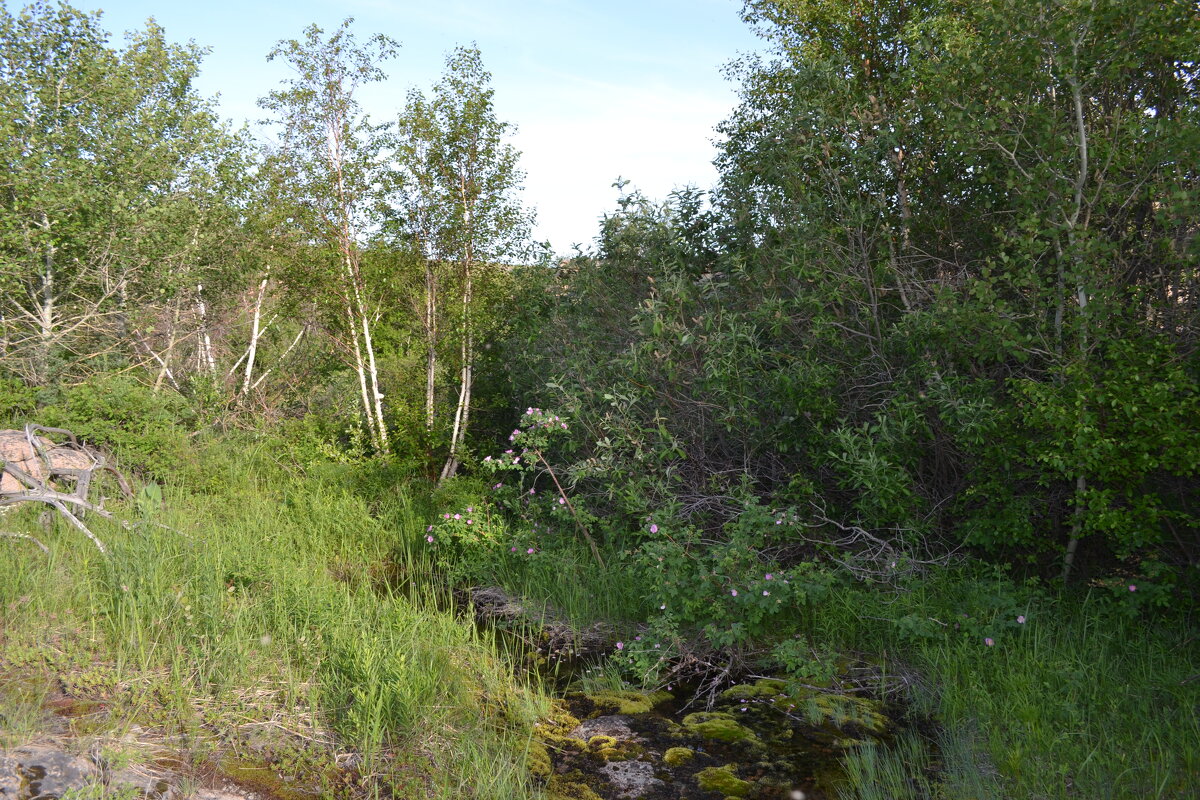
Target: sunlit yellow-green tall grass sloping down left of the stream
[(281, 591)]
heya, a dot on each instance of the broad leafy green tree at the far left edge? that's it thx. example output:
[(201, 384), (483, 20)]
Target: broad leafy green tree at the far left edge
[(117, 185)]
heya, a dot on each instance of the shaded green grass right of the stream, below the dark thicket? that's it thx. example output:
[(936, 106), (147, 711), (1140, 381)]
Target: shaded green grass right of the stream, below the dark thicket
[(1081, 701)]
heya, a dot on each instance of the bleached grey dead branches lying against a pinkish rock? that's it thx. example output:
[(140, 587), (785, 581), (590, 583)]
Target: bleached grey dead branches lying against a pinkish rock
[(37, 470)]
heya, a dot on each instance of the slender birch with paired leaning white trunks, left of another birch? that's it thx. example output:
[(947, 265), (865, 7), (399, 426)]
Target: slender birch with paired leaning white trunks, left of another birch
[(331, 153)]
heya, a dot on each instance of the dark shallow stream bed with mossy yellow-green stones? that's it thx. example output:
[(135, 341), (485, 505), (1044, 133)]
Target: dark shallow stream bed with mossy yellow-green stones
[(761, 739)]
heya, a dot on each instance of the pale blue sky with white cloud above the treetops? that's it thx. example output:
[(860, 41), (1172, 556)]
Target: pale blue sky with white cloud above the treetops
[(598, 91)]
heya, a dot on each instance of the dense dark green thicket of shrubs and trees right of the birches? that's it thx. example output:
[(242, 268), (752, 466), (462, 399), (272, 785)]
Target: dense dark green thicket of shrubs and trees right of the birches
[(944, 297)]
